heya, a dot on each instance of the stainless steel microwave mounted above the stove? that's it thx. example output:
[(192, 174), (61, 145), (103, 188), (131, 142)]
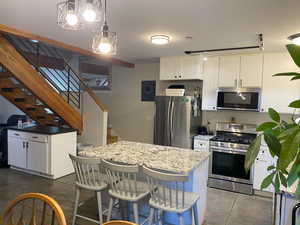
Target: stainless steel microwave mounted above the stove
[(247, 99)]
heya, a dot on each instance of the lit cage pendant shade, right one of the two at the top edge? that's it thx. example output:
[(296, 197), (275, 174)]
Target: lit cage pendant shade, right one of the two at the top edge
[(91, 10)]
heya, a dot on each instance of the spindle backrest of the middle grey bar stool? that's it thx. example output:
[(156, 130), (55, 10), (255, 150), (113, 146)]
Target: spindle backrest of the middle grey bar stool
[(122, 178)]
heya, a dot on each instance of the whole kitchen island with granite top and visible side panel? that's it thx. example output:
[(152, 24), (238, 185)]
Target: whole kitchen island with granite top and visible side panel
[(169, 159)]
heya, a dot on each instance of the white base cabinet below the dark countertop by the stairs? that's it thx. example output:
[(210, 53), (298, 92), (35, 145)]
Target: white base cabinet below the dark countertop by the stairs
[(40, 154)]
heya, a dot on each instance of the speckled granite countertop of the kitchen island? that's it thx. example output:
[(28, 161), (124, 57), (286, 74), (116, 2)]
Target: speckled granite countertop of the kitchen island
[(171, 159)]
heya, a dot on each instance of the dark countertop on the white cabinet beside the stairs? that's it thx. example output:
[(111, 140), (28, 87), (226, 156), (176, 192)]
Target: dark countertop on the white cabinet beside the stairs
[(48, 130)]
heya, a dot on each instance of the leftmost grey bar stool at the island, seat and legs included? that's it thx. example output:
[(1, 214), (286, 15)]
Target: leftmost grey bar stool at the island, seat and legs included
[(89, 176)]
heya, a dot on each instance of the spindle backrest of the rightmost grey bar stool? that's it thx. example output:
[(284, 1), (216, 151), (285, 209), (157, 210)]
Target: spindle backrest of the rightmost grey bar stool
[(166, 188)]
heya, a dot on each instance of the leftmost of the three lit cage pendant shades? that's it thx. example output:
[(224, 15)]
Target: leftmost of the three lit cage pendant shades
[(67, 15)]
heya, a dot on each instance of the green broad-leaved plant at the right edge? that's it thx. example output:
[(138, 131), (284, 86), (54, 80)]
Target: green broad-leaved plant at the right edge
[(283, 140)]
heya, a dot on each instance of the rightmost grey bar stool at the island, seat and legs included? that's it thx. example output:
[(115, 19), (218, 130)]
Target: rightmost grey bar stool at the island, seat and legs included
[(167, 194)]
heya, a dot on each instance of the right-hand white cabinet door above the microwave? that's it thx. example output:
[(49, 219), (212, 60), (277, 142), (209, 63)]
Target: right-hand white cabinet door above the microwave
[(251, 70)]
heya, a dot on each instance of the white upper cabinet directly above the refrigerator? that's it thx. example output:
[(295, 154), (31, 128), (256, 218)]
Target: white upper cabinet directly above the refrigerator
[(181, 68)]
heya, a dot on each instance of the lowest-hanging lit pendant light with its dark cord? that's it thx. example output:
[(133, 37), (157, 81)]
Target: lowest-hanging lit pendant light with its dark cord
[(105, 41)]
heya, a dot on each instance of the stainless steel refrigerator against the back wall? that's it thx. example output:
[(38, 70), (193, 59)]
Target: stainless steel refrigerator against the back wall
[(176, 120)]
